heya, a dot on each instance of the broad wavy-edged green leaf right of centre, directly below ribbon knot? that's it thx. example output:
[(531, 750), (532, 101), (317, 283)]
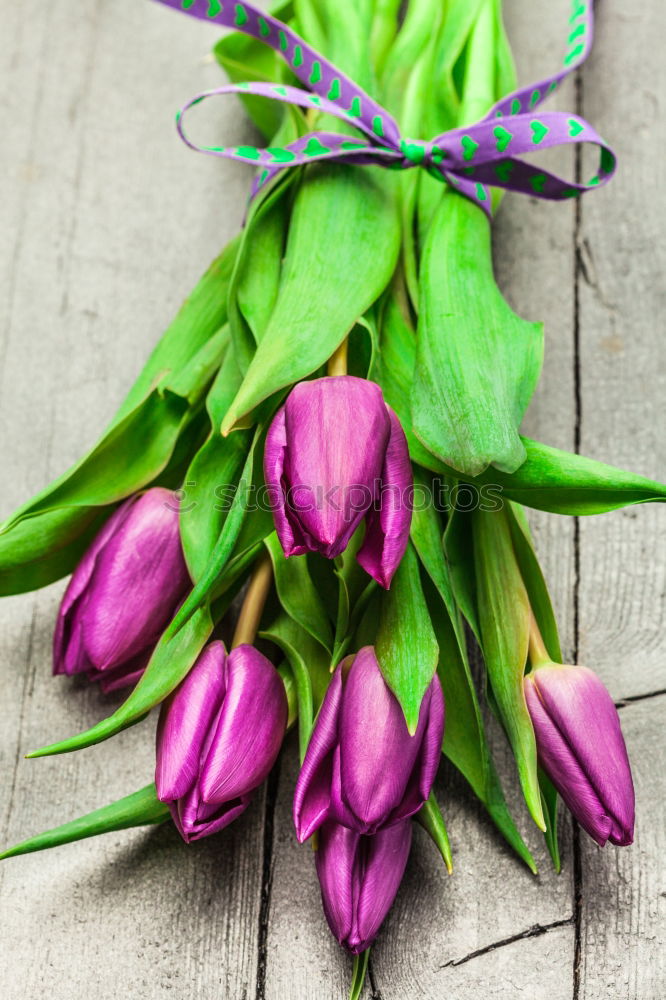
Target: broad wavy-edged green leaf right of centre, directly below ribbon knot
[(477, 363)]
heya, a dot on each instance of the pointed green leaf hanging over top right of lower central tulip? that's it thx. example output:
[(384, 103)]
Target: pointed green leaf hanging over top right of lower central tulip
[(406, 646)]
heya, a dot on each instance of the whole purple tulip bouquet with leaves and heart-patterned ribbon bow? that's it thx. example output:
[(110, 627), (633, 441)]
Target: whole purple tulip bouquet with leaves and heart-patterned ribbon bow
[(324, 446)]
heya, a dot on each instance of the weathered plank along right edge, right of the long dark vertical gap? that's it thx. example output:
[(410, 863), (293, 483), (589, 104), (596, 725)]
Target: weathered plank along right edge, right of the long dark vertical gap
[(623, 556)]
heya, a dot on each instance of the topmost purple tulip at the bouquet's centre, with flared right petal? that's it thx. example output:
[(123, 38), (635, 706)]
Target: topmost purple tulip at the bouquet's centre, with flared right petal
[(336, 455)]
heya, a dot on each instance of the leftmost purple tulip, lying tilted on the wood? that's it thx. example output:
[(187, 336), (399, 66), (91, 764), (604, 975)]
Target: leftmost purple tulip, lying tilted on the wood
[(123, 593)]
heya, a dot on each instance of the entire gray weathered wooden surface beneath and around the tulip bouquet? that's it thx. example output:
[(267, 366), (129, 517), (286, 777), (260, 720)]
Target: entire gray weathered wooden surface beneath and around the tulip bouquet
[(106, 221)]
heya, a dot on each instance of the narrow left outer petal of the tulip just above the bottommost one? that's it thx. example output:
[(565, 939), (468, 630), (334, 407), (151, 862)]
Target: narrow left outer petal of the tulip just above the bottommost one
[(312, 796)]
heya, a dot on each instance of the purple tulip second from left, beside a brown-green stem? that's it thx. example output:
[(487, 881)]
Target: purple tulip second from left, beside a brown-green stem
[(218, 737)]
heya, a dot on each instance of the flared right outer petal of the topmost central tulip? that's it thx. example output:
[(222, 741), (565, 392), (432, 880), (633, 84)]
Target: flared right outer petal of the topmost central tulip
[(389, 520)]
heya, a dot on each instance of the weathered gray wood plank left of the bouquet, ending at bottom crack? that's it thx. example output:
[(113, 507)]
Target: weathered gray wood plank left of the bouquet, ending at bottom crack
[(107, 222)]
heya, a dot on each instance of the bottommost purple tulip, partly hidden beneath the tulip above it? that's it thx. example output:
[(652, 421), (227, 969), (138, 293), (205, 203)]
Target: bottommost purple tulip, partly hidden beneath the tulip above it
[(359, 878)]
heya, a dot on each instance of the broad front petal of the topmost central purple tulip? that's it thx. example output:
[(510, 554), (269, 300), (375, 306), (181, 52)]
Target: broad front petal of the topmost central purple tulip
[(336, 432)]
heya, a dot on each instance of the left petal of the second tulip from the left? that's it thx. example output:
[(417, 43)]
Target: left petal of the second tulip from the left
[(185, 720)]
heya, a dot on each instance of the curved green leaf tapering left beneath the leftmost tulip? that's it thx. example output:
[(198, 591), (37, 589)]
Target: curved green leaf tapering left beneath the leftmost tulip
[(173, 657)]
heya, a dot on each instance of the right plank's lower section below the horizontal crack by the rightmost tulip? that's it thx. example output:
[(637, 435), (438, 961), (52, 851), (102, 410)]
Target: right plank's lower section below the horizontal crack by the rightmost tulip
[(623, 953)]
